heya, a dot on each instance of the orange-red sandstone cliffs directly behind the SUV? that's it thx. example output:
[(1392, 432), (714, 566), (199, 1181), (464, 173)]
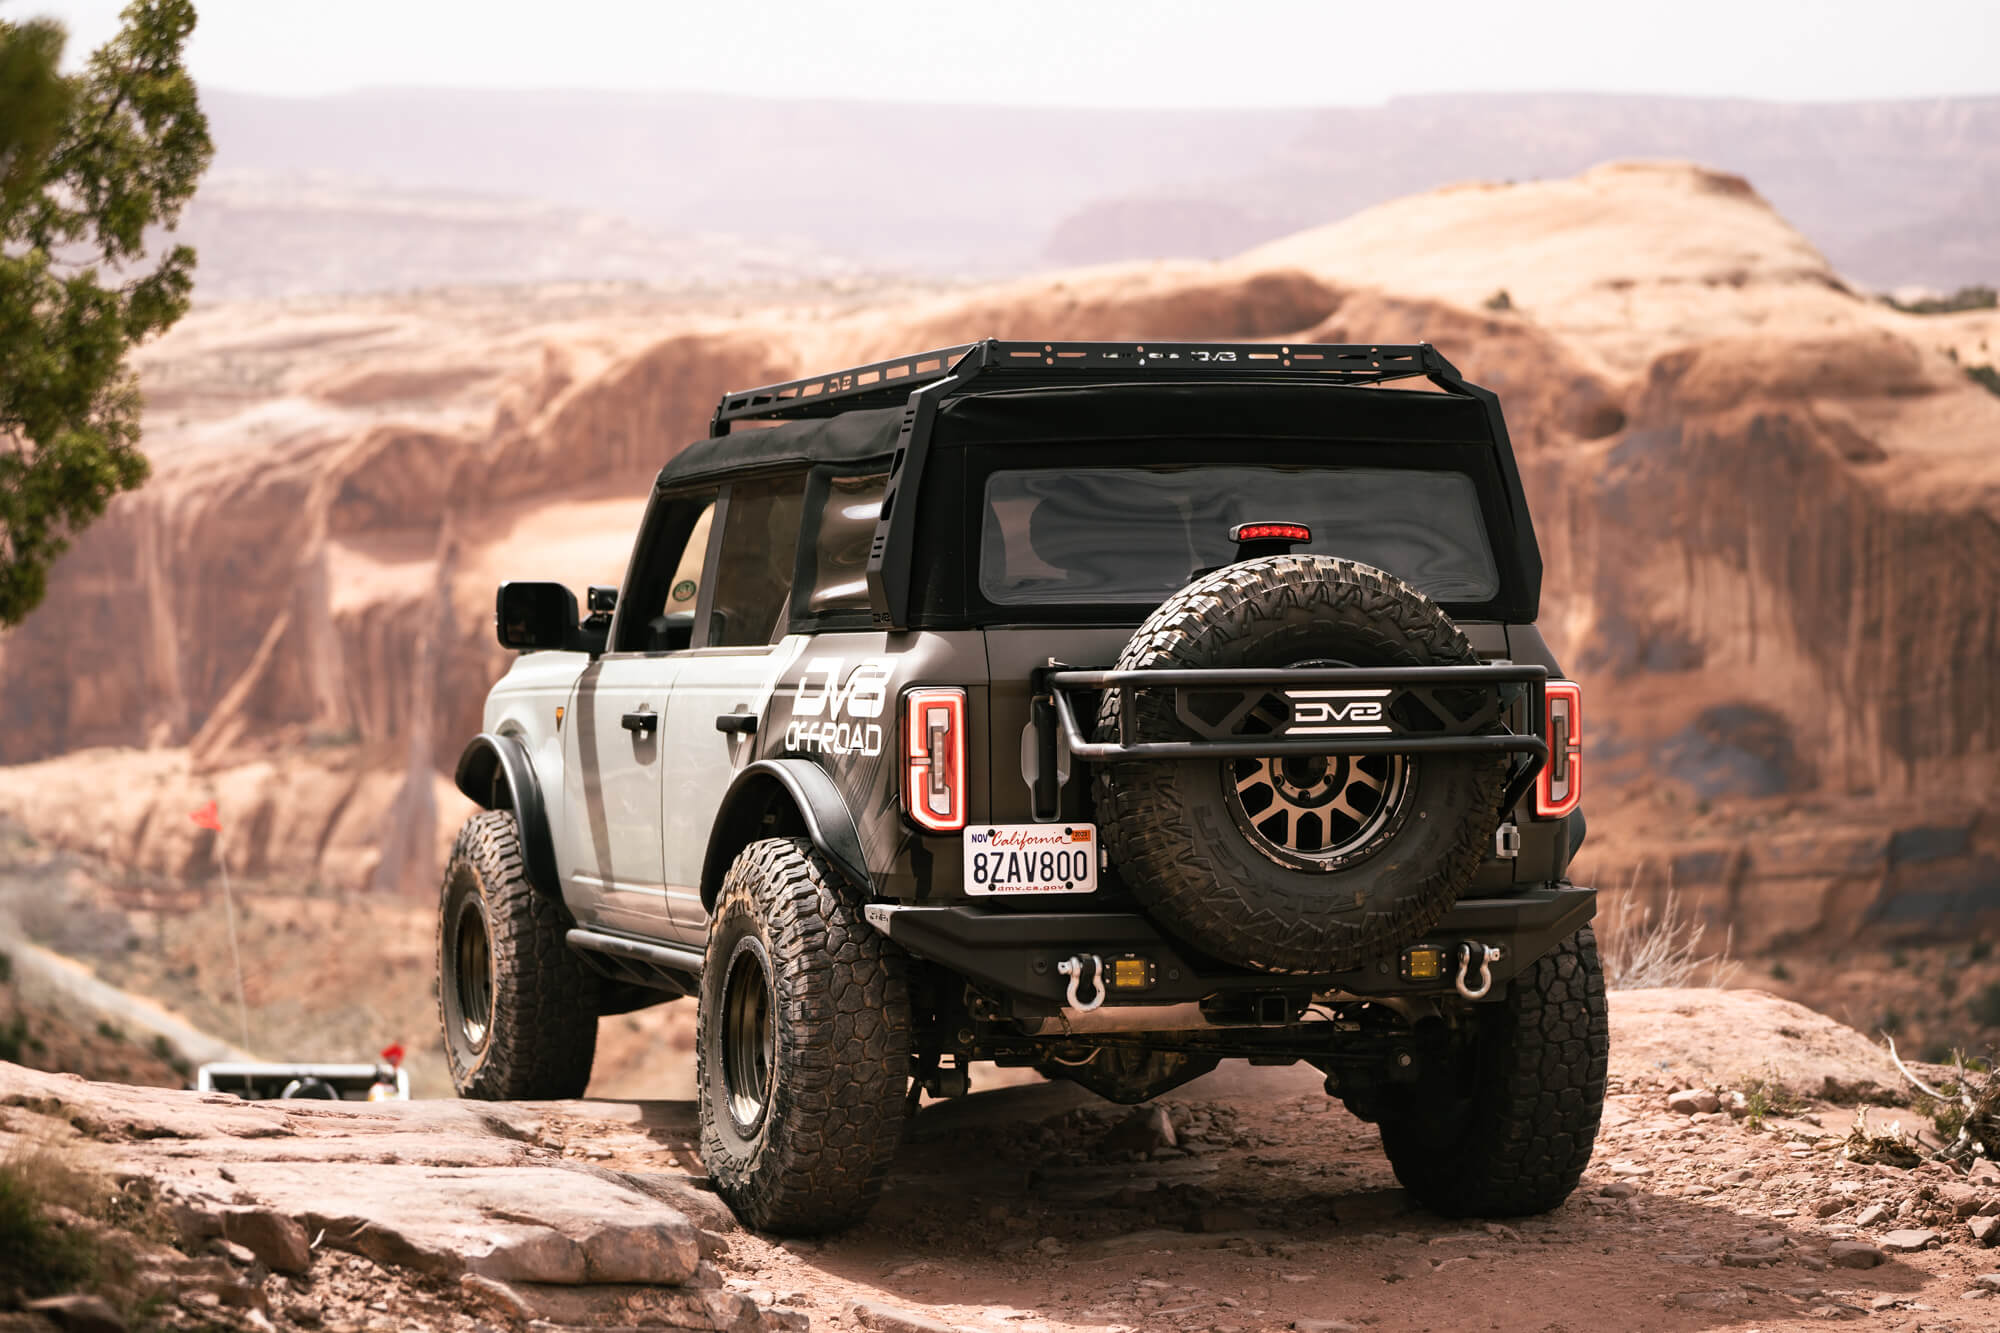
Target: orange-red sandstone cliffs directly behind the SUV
[(1771, 515)]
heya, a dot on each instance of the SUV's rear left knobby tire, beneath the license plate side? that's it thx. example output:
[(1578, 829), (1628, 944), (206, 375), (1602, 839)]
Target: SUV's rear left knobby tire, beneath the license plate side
[(803, 1046)]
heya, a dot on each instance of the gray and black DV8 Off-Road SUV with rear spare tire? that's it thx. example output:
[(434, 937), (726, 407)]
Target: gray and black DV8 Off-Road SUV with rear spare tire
[(1105, 710)]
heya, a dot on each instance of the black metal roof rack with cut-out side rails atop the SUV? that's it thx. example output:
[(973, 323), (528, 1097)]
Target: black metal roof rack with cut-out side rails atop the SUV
[(891, 383)]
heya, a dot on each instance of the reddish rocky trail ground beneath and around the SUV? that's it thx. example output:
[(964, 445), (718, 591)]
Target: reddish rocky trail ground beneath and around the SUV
[(1039, 1208)]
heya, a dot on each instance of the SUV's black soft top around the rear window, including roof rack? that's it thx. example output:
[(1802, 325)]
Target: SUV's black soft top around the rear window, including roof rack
[(1003, 393)]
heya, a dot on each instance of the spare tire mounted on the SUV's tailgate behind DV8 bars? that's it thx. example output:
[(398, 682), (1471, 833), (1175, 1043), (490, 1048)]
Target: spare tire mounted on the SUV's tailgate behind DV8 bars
[(1295, 866)]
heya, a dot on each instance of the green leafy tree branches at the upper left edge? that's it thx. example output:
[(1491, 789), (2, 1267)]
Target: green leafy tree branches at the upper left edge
[(89, 163)]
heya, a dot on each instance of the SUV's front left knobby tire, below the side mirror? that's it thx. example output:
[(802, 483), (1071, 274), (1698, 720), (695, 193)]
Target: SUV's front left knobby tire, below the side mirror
[(519, 1008)]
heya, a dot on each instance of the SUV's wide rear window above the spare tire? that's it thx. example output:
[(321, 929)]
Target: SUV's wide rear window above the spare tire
[(1137, 535)]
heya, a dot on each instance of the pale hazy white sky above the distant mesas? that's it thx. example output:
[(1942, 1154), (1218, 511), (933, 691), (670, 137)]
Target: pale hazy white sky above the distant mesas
[(1091, 53)]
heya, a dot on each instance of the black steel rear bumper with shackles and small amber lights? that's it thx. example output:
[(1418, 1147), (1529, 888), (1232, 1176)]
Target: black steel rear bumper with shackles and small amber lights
[(1017, 954)]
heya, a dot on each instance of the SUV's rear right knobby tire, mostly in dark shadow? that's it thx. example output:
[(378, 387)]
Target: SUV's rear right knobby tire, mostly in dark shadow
[(1515, 1128)]
